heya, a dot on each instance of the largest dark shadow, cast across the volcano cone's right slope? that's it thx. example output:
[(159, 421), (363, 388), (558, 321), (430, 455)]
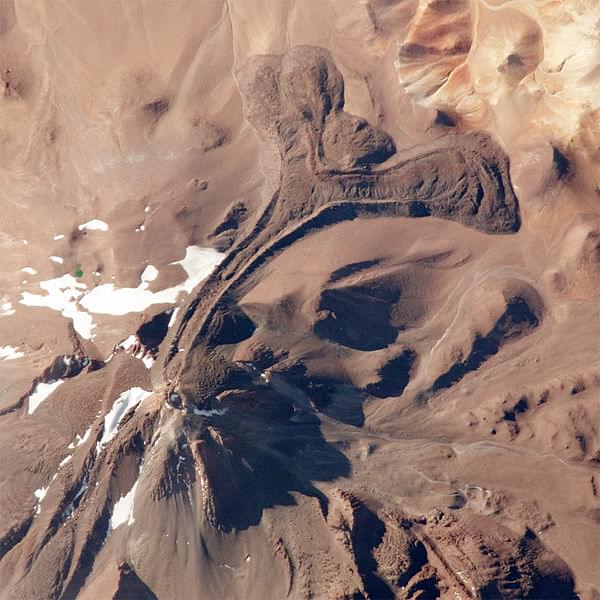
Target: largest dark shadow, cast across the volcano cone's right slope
[(257, 454)]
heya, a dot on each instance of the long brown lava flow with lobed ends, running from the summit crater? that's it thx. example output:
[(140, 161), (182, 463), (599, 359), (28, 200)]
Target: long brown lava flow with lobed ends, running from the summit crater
[(328, 175)]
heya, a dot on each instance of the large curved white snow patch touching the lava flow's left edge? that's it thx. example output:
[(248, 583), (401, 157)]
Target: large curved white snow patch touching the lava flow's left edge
[(198, 263)]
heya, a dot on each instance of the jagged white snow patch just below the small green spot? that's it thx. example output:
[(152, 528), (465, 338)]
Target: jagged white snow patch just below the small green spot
[(62, 295)]
